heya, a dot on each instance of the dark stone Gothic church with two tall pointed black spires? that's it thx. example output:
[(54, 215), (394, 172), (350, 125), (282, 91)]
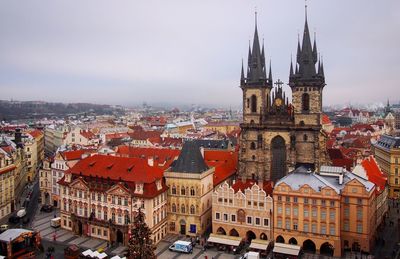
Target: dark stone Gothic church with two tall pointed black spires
[(278, 135)]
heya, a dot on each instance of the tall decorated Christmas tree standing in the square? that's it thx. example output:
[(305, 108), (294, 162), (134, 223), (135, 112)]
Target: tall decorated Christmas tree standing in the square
[(140, 244)]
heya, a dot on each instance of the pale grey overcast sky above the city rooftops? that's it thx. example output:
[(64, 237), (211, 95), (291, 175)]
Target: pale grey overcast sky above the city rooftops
[(183, 52)]
